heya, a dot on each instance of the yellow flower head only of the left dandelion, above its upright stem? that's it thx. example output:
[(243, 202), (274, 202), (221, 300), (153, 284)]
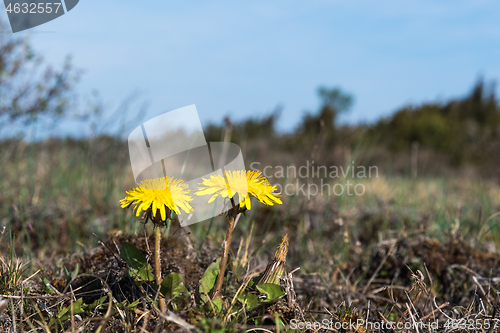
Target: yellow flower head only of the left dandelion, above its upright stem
[(159, 194)]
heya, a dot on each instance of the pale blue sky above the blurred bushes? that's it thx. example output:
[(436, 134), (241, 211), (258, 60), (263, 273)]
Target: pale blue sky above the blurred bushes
[(243, 58)]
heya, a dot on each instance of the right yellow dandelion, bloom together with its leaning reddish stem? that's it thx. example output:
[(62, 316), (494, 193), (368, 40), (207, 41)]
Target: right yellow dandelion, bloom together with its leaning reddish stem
[(243, 184)]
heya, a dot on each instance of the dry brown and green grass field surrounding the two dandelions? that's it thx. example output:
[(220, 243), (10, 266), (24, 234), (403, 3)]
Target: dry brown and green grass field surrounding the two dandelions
[(407, 250)]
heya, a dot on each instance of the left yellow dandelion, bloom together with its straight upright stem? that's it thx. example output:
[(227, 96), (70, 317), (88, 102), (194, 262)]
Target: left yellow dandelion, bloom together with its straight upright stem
[(158, 199)]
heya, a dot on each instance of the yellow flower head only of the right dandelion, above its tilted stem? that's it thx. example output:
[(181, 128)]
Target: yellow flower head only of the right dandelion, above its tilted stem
[(244, 183)]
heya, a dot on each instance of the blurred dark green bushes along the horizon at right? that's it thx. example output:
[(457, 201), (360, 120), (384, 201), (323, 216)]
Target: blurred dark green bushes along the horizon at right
[(456, 137)]
